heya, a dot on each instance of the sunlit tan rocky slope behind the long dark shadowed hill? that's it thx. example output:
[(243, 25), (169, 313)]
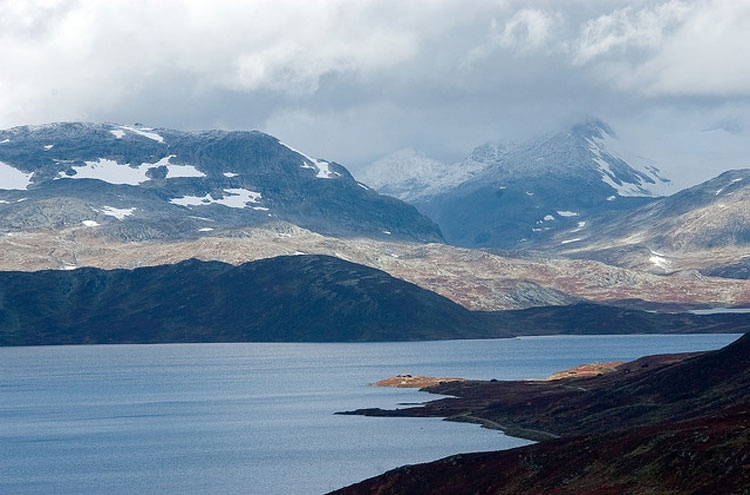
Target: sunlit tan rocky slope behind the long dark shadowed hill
[(478, 280)]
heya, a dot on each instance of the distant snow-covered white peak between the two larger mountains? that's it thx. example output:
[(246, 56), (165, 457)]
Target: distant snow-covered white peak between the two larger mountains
[(410, 175)]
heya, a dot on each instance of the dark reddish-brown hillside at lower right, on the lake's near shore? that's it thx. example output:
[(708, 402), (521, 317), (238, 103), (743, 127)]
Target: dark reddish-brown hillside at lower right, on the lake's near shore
[(659, 425)]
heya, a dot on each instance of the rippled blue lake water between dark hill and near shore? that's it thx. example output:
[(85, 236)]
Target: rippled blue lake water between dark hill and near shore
[(254, 418)]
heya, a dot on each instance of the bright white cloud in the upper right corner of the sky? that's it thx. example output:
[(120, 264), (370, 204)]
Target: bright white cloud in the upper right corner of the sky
[(672, 49)]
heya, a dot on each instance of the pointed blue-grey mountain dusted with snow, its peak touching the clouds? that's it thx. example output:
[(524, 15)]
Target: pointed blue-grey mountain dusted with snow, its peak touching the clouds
[(519, 196)]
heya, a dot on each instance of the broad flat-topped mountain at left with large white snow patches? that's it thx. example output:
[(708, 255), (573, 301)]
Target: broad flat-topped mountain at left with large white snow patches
[(134, 182)]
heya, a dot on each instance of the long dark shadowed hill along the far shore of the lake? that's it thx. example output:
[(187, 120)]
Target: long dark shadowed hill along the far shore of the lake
[(284, 299)]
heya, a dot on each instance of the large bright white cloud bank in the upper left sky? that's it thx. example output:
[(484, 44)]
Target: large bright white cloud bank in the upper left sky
[(61, 58)]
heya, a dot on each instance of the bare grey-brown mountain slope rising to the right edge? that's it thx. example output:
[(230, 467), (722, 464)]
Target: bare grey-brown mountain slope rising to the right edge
[(705, 227)]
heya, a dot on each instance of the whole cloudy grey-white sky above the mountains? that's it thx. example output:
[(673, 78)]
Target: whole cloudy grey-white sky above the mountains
[(355, 80)]
